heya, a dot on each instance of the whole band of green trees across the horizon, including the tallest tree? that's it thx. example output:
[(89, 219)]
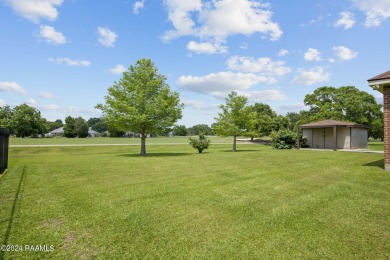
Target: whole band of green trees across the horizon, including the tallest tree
[(141, 102)]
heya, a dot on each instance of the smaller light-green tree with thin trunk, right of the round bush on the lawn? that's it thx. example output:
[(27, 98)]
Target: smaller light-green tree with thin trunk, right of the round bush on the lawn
[(236, 118)]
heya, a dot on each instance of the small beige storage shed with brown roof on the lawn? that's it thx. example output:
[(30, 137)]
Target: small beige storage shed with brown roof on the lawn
[(332, 134)]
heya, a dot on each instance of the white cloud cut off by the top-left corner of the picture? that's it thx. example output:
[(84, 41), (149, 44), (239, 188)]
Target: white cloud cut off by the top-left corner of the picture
[(35, 10)]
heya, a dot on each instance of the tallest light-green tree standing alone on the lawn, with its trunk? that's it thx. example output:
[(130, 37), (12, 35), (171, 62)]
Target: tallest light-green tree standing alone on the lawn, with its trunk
[(142, 102)]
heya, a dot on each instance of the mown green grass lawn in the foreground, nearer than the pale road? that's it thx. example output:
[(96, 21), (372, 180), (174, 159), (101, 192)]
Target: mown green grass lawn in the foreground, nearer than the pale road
[(258, 203)]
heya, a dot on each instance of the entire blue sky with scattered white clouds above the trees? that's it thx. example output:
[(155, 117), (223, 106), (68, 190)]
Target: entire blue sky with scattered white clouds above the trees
[(61, 56)]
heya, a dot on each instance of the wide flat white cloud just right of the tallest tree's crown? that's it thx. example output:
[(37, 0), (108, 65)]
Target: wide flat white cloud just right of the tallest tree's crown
[(221, 83)]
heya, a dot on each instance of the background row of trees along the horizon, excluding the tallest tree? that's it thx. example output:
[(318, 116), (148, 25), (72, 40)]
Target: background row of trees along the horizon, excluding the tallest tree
[(257, 120)]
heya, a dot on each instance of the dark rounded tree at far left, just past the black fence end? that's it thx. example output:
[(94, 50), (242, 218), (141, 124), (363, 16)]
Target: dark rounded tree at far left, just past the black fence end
[(27, 121)]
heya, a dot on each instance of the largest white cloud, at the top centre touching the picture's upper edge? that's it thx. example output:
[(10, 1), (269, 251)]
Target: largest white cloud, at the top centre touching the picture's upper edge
[(220, 19)]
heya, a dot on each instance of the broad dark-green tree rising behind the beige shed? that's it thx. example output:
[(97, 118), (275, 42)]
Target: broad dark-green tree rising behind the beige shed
[(345, 103)]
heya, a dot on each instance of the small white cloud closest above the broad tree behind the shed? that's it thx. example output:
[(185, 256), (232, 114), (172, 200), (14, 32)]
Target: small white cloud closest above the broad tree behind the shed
[(311, 76)]
